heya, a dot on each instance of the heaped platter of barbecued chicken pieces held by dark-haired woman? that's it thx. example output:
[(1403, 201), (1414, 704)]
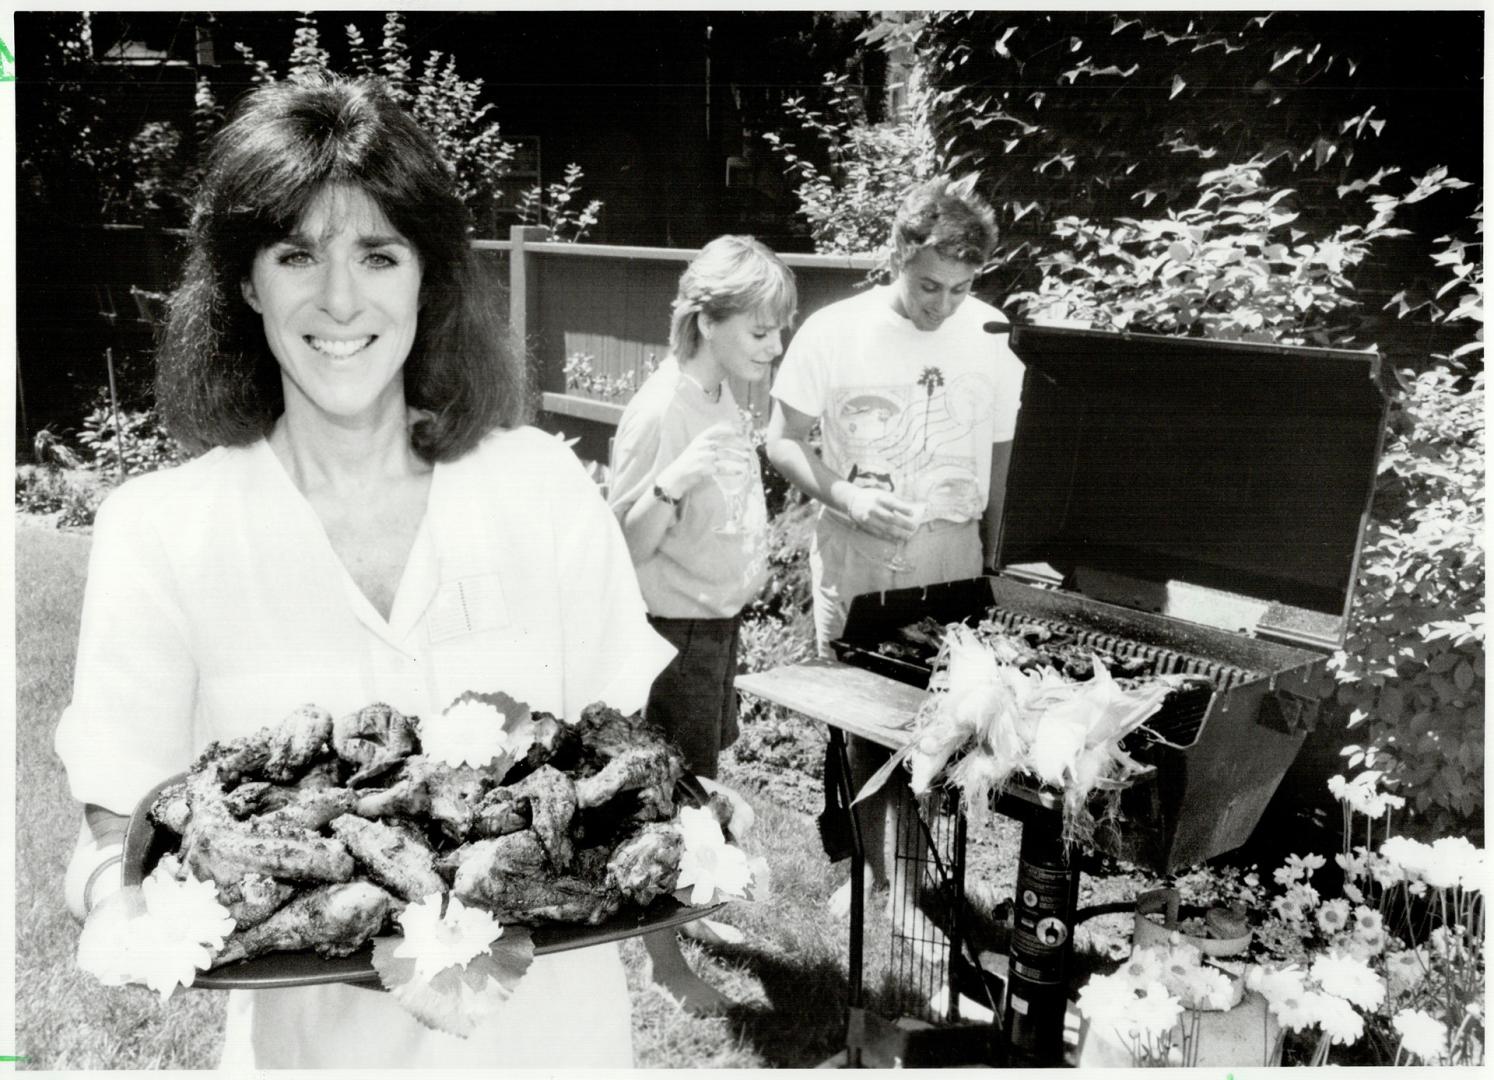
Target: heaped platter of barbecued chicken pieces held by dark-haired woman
[(317, 833)]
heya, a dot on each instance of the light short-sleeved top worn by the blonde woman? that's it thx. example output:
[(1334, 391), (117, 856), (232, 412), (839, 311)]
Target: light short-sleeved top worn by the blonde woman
[(697, 573)]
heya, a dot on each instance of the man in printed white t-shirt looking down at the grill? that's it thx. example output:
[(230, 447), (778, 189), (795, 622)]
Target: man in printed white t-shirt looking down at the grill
[(917, 403)]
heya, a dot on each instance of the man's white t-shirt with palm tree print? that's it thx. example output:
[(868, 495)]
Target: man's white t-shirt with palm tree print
[(905, 410)]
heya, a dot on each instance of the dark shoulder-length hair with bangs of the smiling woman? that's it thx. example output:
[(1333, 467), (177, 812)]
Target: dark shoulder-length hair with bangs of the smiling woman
[(219, 383)]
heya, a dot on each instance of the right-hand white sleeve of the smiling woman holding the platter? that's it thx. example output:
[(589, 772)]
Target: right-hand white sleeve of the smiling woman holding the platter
[(612, 655)]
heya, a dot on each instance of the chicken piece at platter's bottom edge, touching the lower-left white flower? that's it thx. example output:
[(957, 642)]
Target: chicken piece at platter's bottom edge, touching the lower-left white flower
[(334, 919)]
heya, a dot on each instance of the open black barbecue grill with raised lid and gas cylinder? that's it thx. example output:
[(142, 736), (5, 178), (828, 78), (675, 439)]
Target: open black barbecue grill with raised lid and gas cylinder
[(1187, 507)]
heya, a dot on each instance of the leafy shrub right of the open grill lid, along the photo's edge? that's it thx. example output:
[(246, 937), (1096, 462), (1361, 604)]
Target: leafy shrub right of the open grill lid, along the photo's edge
[(1413, 670)]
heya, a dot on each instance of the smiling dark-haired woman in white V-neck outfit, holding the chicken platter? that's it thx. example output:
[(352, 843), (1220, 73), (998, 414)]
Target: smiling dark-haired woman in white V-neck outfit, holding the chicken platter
[(370, 522)]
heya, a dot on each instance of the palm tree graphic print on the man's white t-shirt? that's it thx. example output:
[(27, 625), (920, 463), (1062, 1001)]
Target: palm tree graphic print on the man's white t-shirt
[(914, 440)]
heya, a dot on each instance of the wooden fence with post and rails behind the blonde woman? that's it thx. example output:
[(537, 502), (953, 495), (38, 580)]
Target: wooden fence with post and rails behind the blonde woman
[(610, 305)]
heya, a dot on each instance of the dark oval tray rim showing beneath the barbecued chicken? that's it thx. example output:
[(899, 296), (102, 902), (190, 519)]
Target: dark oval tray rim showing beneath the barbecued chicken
[(146, 843)]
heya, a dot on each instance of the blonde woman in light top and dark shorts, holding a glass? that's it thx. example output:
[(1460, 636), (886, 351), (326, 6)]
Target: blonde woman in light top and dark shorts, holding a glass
[(688, 491)]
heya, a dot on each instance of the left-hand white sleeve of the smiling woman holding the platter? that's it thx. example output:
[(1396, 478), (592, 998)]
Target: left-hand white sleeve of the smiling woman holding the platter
[(129, 724)]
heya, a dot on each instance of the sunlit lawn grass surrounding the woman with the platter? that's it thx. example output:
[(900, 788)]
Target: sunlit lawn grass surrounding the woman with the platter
[(788, 976)]
